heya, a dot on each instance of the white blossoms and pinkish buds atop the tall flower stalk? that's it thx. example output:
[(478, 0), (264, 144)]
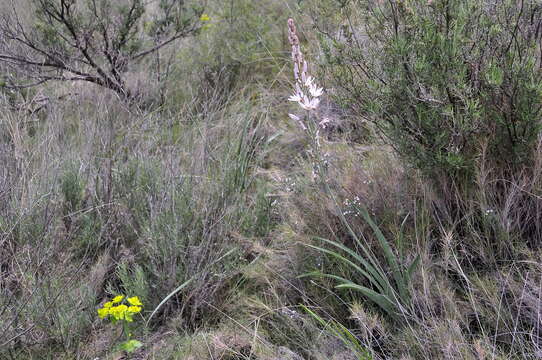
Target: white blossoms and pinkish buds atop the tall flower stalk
[(306, 92)]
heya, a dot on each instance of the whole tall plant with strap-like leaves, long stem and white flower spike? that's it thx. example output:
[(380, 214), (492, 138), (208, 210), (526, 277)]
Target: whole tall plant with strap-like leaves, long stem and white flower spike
[(392, 296)]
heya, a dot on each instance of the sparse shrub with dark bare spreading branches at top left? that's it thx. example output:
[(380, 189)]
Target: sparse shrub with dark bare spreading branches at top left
[(94, 42)]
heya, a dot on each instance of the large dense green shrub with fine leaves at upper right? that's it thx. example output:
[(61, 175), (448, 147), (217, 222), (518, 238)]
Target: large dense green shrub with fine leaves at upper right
[(444, 80)]
